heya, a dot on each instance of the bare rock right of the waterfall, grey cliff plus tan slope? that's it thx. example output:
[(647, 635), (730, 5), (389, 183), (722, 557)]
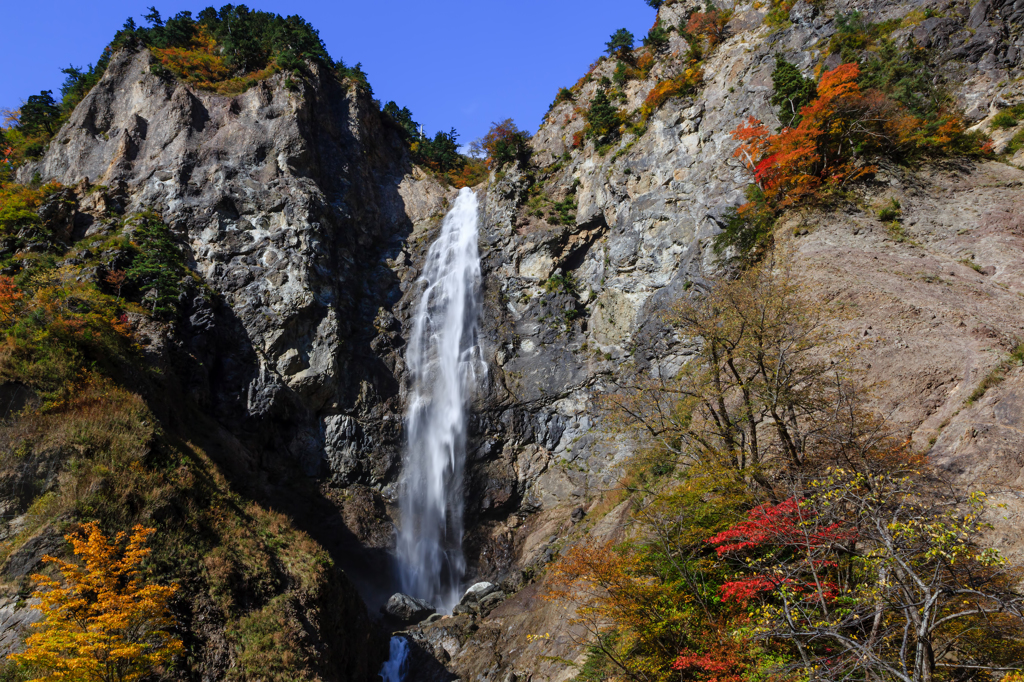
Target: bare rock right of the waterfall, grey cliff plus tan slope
[(938, 303)]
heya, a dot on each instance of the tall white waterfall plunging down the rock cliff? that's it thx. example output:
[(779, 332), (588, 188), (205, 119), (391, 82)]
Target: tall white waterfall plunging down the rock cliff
[(445, 365)]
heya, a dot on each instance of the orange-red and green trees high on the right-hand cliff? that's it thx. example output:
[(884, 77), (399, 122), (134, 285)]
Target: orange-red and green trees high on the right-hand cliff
[(880, 105)]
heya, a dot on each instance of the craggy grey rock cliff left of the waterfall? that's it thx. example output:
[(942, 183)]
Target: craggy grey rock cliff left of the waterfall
[(291, 204)]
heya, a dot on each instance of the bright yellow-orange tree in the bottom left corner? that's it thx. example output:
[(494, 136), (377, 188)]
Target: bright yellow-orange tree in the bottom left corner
[(104, 622)]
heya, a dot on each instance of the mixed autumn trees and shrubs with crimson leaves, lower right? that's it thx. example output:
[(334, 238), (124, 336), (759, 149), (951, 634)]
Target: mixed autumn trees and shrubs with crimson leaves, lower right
[(782, 531)]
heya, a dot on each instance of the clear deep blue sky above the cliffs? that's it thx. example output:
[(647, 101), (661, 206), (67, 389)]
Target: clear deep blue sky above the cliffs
[(454, 64)]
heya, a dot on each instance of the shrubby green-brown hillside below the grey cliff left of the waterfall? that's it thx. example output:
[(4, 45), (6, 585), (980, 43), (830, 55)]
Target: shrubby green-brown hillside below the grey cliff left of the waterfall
[(99, 436)]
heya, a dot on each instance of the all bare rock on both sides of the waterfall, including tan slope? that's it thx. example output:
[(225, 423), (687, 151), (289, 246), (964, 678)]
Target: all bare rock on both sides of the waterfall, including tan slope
[(301, 210)]
